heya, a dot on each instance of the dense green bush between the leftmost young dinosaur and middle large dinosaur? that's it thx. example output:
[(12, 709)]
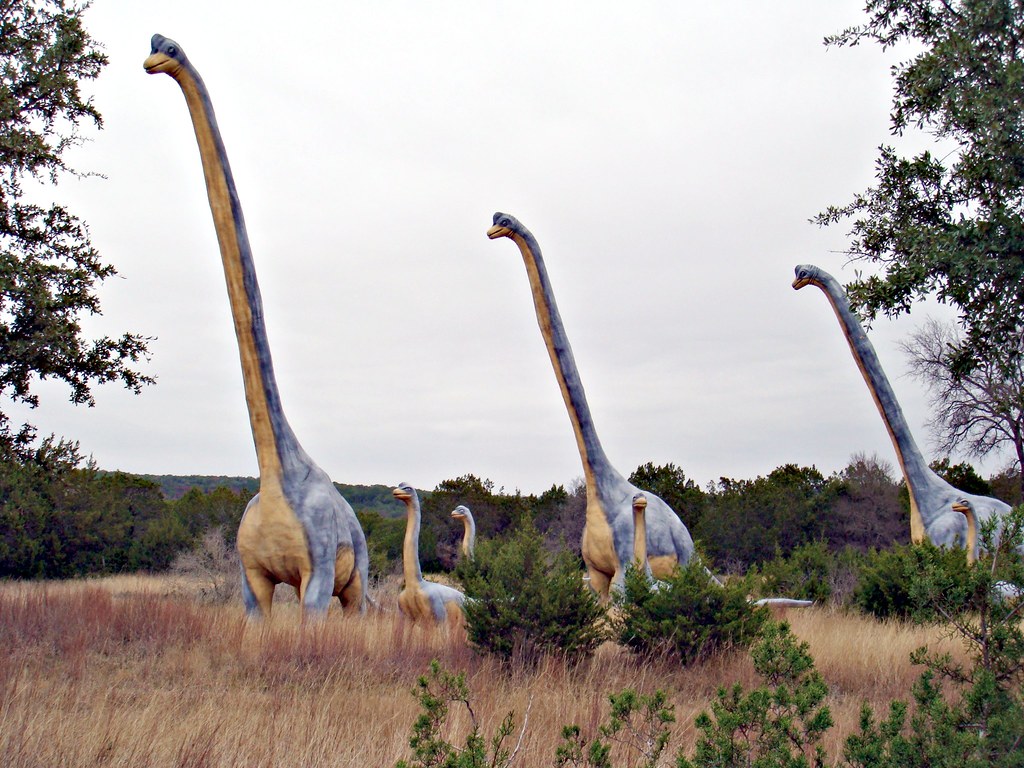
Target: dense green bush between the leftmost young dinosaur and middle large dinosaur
[(523, 603)]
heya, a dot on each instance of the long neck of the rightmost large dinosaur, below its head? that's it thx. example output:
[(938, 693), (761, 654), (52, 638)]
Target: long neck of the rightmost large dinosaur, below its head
[(912, 461)]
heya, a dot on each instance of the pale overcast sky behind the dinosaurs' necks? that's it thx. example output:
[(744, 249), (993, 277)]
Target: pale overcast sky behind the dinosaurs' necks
[(668, 157)]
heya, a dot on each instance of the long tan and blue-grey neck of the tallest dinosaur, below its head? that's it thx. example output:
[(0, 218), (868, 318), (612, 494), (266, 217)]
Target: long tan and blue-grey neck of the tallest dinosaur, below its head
[(274, 439)]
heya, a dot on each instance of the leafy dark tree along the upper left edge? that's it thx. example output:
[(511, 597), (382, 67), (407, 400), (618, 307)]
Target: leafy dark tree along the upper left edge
[(49, 269)]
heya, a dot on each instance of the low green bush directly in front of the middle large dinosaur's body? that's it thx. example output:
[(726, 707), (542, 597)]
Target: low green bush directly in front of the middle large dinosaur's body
[(689, 615)]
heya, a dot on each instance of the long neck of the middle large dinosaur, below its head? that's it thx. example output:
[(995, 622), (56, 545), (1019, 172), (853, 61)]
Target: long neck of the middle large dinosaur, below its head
[(595, 464)]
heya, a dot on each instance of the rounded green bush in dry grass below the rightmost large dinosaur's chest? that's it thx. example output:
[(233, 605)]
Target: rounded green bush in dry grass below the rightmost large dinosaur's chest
[(886, 588)]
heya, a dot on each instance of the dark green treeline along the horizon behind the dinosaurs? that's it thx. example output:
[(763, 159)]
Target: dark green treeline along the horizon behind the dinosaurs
[(61, 521)]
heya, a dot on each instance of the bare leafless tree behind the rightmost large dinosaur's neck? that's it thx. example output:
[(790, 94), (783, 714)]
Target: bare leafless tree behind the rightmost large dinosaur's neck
[(980, 410)]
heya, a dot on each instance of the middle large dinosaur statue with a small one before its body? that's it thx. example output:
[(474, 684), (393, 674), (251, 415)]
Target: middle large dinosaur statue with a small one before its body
[(608, 535)]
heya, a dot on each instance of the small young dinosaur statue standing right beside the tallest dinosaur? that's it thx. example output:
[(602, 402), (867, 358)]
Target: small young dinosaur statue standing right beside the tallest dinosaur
[(422, 601)]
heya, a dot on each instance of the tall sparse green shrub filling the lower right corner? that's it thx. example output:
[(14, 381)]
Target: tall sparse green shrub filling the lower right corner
[(967, 715)]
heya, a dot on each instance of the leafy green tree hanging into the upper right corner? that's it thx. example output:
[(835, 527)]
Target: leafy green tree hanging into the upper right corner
[(948, 223)]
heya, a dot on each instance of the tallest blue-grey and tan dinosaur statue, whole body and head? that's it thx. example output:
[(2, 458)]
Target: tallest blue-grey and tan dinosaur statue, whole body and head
[(297, 530)]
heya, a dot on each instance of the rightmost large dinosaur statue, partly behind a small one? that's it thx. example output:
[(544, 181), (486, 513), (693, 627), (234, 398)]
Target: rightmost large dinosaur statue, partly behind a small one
[(931, 497)]
